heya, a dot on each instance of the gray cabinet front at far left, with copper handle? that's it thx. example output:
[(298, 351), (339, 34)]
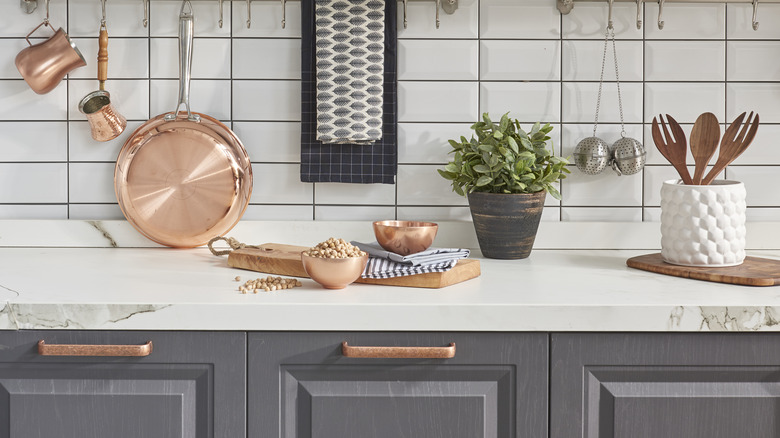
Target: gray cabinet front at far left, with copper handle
[(192, 385)]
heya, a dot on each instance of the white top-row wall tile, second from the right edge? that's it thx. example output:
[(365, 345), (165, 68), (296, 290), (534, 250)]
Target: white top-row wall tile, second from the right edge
[(686, 21)]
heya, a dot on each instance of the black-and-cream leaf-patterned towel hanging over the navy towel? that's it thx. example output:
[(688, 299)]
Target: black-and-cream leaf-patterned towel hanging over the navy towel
[(350, 37)]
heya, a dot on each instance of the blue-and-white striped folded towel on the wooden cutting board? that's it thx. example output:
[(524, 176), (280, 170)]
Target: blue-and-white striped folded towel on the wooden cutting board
[(386, 264)]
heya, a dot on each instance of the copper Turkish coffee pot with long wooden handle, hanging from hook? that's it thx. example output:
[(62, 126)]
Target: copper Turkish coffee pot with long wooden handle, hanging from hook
[(105, 122)]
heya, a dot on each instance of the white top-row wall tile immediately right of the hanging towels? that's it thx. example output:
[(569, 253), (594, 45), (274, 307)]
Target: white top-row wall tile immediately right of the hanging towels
[(464, 23)]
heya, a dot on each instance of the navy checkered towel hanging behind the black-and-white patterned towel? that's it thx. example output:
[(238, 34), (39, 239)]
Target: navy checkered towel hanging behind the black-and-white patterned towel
[(348, 163)]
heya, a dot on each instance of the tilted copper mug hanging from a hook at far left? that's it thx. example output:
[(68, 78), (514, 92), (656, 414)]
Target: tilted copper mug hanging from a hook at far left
[(43, 65)]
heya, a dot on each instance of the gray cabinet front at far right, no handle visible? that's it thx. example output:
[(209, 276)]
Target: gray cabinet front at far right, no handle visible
[(665, 385)]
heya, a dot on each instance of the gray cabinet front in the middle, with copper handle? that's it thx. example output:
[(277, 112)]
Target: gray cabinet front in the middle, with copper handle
[(300, 386)]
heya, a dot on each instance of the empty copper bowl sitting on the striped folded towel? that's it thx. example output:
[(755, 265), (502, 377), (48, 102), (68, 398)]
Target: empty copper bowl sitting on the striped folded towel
[(405, 237)]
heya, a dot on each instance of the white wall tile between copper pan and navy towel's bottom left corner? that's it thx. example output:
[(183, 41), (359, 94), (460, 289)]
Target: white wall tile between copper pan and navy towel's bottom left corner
[(280, 184)]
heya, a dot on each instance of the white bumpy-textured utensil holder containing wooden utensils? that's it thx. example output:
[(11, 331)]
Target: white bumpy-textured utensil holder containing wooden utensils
[(703, 225)]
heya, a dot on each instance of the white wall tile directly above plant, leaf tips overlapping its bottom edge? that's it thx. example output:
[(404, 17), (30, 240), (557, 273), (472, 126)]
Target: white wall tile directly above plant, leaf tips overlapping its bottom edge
[(528, 102)]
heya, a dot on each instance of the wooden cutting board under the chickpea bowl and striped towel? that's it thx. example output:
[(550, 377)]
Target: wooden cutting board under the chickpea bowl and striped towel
[(281, 259)]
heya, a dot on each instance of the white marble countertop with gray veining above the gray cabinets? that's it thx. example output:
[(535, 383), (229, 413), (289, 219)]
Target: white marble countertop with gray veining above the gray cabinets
[(553, 290)]
